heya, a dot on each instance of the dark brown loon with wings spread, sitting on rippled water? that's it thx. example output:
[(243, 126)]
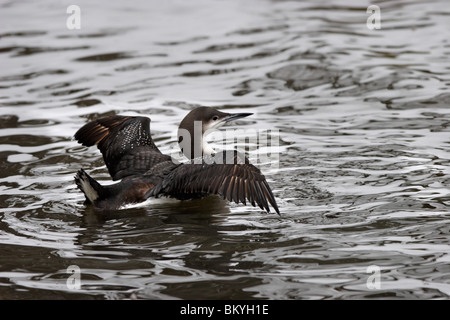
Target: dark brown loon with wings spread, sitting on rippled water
[(132, 157)]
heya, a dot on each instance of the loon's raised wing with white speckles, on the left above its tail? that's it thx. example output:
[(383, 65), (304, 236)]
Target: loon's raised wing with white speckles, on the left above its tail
[(125, 143)]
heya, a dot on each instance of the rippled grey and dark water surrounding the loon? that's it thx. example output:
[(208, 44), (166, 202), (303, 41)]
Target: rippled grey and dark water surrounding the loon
[(363, 176)]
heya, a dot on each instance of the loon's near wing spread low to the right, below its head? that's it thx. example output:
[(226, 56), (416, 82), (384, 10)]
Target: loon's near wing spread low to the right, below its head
[(240, 182)]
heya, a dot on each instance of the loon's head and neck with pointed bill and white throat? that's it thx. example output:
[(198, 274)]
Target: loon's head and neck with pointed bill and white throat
[(197, 124)]
